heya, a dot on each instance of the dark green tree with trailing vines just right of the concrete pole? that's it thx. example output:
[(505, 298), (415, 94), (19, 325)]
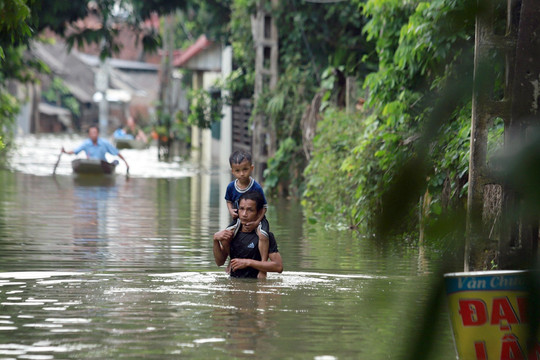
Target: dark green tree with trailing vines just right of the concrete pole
[(312, 38)]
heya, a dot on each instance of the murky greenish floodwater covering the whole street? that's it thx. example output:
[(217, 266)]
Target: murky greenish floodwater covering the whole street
[(122, 267)]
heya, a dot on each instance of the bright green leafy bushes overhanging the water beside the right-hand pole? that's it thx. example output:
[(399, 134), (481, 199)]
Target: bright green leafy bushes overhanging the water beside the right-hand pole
[(418, 54)]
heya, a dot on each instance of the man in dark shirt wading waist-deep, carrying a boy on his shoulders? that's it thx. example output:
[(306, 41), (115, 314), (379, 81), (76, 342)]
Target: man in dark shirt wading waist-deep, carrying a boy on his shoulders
[(241, 244)]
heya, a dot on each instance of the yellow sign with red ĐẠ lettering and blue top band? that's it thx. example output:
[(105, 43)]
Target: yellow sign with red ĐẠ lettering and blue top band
[(489, 315)]
